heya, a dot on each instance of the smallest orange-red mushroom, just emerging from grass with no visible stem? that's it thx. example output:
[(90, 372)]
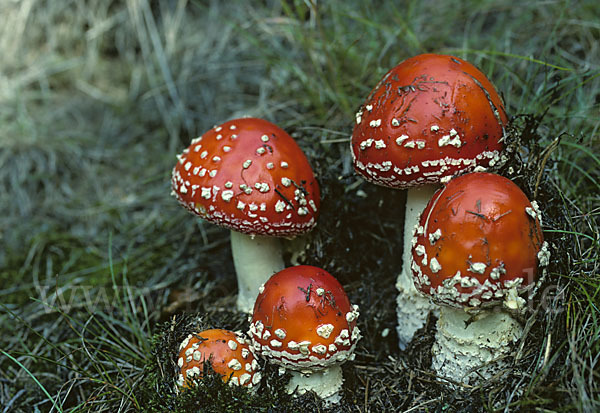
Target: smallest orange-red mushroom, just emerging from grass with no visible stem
[(228, 353)]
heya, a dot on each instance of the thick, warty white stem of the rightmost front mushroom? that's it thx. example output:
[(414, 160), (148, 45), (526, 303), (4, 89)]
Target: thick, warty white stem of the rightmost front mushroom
[(468, 350)]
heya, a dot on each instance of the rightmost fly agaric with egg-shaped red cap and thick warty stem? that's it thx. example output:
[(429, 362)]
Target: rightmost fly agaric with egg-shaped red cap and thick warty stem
[(478, 244)]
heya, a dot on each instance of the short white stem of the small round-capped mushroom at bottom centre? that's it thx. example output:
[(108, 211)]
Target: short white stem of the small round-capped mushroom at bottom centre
[(325, 383)]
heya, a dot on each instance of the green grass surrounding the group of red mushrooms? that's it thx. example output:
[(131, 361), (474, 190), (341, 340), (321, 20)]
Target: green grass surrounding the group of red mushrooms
[(96, 98)]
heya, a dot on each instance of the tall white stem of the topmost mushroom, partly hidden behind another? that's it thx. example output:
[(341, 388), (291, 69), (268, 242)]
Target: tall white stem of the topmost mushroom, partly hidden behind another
[(413, 308)]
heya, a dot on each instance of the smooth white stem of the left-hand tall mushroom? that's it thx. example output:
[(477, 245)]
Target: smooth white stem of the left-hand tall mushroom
[(256, 258)]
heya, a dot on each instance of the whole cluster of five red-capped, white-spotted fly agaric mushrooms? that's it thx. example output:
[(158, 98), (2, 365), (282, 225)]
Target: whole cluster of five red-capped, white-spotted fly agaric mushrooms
[(473, 242)]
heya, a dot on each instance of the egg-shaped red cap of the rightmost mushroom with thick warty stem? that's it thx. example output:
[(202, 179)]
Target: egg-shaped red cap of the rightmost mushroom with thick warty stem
[(478, 238)]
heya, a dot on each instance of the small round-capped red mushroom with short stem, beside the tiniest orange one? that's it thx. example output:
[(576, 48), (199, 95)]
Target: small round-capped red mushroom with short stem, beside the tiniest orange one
[(303, 321)]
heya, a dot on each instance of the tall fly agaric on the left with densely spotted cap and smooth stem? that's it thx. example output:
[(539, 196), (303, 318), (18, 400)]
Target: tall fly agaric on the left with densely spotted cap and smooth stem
[(250, 176)]
